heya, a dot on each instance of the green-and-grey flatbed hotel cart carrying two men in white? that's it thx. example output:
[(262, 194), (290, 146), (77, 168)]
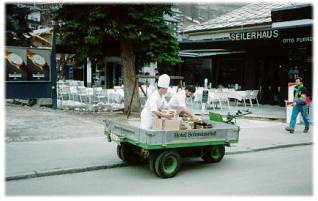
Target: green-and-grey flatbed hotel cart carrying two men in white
[(163, 149)]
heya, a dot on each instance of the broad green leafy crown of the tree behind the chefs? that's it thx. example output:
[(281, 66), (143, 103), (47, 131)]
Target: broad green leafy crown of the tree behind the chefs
[(90, 27)]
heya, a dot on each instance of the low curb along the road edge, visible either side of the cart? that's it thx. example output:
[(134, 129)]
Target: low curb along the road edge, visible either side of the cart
[(101, 167)]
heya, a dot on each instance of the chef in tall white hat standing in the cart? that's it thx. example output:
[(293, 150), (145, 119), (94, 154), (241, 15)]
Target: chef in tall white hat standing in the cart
[(155, 103)]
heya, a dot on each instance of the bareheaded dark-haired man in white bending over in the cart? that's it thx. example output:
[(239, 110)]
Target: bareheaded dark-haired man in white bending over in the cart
[(178, 102)]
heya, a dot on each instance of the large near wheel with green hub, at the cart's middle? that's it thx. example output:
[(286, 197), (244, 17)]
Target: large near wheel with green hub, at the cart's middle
[(168, 164)]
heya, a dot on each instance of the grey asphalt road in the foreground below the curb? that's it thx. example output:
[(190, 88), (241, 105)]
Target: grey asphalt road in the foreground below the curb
[(286, 172)]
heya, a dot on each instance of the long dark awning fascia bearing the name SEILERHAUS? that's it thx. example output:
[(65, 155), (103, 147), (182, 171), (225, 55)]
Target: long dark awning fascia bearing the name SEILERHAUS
[(284, 35)]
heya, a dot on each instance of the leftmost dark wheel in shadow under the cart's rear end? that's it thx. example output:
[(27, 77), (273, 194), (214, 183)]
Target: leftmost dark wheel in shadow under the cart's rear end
[(128, 154)]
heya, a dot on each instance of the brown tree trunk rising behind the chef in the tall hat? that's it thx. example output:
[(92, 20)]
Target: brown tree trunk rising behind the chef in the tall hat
[(129, 70)]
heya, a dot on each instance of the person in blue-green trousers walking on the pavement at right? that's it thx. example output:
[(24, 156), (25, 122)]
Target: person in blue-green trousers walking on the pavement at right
[(300, 105)]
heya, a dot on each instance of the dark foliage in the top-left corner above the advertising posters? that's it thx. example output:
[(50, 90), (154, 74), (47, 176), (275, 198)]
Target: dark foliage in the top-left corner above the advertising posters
[(17, 30)]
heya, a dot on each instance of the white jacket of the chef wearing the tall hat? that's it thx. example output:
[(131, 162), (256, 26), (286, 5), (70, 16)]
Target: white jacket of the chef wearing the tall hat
[(155, 102)]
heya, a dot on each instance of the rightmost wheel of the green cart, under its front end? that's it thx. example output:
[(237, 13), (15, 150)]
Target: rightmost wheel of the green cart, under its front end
[(213, 154)]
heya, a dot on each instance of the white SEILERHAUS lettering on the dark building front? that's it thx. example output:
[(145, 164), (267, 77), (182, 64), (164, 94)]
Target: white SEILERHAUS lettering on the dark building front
[(254, 35)]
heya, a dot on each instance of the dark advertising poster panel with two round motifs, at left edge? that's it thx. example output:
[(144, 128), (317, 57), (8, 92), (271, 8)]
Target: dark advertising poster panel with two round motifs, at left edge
[(27, 64)]
